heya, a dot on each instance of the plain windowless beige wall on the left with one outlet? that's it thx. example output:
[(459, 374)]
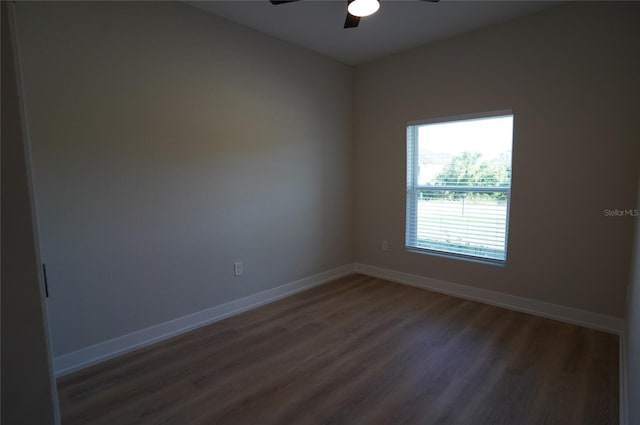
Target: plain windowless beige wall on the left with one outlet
[(168, 144)]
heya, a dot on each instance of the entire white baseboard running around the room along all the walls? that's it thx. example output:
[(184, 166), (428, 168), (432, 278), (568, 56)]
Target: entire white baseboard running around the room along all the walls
[(100, 352)]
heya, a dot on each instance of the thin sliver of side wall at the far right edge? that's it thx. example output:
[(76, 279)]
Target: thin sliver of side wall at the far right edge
[(633, 331)]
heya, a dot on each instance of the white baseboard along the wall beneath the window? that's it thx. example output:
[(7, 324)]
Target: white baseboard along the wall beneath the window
[(610, 324)]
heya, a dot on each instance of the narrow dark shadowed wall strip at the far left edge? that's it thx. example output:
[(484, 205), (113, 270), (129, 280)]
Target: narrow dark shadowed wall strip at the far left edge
[(28, 391)]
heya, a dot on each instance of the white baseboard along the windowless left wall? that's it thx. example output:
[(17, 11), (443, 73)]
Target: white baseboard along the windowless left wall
[(100, 352)]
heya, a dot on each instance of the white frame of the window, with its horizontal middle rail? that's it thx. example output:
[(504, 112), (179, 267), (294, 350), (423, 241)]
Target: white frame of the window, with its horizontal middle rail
[(412, 188)]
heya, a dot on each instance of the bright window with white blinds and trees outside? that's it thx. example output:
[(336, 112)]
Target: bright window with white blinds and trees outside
[(459, 185)]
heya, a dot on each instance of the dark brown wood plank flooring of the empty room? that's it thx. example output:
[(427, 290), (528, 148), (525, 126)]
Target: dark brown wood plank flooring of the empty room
[(359, 350)]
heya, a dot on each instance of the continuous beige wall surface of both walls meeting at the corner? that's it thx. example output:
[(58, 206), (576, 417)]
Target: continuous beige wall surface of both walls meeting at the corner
[(168, 144)]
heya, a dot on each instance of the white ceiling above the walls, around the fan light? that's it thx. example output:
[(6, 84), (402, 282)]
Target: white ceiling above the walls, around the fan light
[(398, 25)]
